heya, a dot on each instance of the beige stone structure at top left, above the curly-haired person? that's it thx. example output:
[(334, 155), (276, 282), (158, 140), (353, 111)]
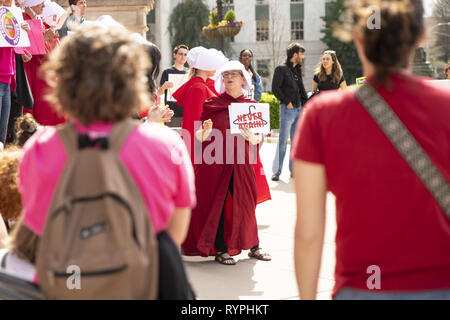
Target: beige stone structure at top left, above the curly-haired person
[(131, 13)]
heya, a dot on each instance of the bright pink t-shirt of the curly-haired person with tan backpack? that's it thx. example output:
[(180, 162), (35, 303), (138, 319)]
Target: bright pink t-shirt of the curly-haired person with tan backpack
[(154, 155)]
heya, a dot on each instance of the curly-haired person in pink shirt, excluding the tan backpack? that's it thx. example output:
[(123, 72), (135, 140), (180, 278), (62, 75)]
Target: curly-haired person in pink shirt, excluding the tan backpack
[(108, 90)]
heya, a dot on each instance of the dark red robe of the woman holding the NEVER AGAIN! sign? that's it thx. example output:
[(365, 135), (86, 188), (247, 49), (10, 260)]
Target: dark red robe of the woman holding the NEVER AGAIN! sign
[(212, 181)]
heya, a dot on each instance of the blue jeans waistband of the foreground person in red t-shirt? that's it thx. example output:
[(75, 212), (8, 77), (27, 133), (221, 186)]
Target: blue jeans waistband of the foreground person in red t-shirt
[(353, 294)]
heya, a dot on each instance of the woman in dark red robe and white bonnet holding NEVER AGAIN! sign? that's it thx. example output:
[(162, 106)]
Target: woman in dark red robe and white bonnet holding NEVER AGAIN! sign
[(224, 221)]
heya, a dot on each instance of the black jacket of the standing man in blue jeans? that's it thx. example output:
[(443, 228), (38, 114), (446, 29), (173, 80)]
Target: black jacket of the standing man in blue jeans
[(287, 85)]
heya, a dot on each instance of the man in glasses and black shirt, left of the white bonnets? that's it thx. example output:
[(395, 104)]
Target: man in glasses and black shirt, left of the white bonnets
[(180, 53)]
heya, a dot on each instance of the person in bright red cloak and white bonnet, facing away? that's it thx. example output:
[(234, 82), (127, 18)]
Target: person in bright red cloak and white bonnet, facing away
[(192, 95)]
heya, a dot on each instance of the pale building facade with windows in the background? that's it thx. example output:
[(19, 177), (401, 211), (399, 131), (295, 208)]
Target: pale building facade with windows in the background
[(270, 26)]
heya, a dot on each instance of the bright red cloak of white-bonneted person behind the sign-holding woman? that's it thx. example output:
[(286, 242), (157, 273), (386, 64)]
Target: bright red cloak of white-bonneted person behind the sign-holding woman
[(191, 97)]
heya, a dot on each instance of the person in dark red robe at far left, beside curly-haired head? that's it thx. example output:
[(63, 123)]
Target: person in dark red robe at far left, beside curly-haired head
[(42, 110)]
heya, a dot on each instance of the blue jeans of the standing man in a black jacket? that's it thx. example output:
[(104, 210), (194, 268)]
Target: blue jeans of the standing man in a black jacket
[(288, 123)]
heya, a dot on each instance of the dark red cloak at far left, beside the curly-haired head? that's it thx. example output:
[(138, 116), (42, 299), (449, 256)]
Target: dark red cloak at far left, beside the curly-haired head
[(42, 111)]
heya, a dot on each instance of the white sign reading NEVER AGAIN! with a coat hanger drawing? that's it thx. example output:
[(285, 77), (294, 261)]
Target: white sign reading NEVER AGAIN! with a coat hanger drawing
[(255, 116)]
